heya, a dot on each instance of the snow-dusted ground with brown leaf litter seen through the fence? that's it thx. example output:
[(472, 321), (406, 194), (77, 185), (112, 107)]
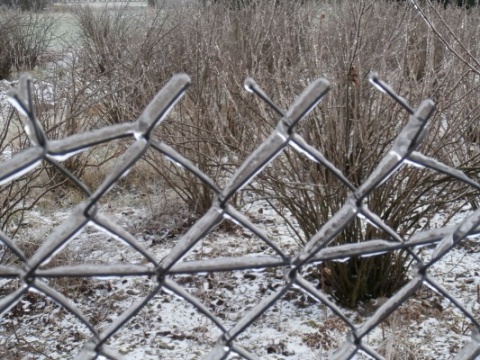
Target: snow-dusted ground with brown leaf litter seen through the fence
[(428, 326)]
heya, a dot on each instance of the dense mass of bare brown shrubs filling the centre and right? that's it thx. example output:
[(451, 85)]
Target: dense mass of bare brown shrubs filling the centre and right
[(122, 59)]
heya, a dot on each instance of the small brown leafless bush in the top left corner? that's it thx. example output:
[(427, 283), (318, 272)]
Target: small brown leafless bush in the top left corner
[(24, 37)]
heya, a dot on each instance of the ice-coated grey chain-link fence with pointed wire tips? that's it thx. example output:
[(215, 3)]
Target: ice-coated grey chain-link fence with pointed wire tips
[(404, 151)]
